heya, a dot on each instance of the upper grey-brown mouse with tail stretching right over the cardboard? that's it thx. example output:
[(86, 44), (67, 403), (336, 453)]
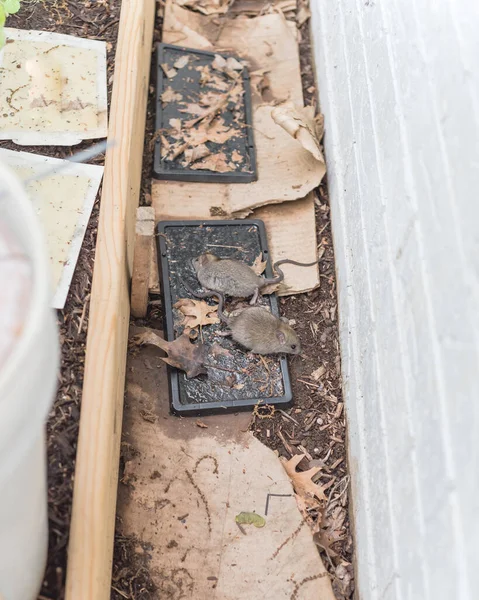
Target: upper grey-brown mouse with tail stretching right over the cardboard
[(235, 278)]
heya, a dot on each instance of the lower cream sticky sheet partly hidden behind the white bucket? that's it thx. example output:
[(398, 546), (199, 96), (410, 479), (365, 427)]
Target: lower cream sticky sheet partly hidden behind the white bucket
[(63, 204)]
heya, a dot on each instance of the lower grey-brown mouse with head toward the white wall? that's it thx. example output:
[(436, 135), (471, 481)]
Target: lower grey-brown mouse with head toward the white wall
[(255, 328)]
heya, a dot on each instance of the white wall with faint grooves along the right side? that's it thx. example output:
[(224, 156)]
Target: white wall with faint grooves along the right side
[(399, 87)]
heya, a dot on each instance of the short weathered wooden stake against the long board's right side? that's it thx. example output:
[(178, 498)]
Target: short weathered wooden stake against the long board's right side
[(142, 259)]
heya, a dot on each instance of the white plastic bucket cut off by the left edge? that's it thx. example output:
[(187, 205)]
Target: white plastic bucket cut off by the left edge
[(27, 386)]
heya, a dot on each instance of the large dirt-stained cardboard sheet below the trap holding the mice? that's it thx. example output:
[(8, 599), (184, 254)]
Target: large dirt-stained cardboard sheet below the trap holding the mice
[(183, 489)]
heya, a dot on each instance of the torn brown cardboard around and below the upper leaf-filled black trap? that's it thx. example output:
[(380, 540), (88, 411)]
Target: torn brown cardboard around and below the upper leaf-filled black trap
[(287, 171)]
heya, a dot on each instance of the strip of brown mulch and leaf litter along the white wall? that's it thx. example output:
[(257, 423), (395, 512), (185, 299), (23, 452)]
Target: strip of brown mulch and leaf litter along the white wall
[(316, 426)]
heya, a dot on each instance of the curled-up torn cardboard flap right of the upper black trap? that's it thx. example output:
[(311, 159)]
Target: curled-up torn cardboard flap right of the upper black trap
[(299, 123)]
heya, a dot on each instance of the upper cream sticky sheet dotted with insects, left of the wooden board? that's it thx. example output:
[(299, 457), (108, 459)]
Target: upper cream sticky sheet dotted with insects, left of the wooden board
[(52, 88)]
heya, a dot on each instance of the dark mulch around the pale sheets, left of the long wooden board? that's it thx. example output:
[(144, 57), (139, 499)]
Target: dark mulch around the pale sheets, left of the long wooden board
[(96, 20)]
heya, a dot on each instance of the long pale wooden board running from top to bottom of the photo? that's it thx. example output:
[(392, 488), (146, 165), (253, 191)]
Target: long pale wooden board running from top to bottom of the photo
[(96, 477)]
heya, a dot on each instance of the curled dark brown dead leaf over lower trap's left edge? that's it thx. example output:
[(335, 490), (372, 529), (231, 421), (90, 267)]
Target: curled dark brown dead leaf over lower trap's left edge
[(182, 354)]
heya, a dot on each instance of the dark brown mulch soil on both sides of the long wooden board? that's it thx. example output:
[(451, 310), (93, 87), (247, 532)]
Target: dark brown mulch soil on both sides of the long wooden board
[(315, 426)]
